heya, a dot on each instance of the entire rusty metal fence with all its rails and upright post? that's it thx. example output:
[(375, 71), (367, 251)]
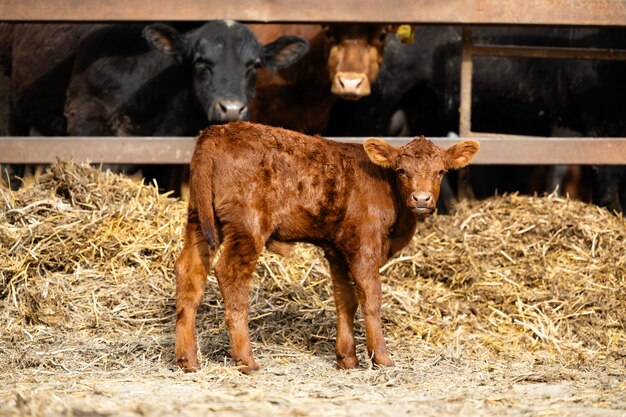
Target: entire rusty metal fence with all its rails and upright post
[(502, 149)]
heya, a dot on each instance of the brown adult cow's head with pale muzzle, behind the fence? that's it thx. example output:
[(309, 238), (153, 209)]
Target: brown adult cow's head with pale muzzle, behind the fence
[(354, 57)]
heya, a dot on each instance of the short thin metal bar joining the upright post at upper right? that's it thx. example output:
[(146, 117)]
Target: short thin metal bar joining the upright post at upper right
[(548, 52)]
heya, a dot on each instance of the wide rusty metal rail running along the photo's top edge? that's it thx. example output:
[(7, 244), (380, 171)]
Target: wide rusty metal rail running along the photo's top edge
[(531, 12)]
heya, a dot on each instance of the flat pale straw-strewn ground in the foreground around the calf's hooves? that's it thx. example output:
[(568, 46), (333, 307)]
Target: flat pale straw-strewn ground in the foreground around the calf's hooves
[(300, 383)]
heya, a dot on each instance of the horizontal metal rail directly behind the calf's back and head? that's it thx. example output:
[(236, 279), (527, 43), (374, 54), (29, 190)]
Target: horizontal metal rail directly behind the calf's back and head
[(178, 150)]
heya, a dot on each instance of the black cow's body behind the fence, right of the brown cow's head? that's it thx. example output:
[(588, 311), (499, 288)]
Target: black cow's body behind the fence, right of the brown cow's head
[(510, 95)]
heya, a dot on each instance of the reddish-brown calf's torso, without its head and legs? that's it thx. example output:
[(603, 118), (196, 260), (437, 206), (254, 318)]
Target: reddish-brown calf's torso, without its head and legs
[(289, 186)]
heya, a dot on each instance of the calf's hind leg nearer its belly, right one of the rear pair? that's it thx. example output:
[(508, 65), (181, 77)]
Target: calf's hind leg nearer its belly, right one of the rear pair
[(234, 272)]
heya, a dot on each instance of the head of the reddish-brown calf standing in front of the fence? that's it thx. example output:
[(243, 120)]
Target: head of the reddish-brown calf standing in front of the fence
[(420, 166)]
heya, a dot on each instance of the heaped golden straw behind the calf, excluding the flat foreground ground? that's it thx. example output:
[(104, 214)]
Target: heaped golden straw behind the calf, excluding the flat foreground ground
[(86, 280)]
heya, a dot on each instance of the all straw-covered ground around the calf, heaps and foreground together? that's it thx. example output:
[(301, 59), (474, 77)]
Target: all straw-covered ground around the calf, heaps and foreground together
[(515, 306)]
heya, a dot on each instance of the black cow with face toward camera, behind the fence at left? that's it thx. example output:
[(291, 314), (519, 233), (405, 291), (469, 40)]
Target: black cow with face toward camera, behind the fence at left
[(173, 84)]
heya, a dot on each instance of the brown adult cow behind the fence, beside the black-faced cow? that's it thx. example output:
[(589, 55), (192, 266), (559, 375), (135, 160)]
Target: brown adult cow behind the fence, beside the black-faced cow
[(342, 62)]
